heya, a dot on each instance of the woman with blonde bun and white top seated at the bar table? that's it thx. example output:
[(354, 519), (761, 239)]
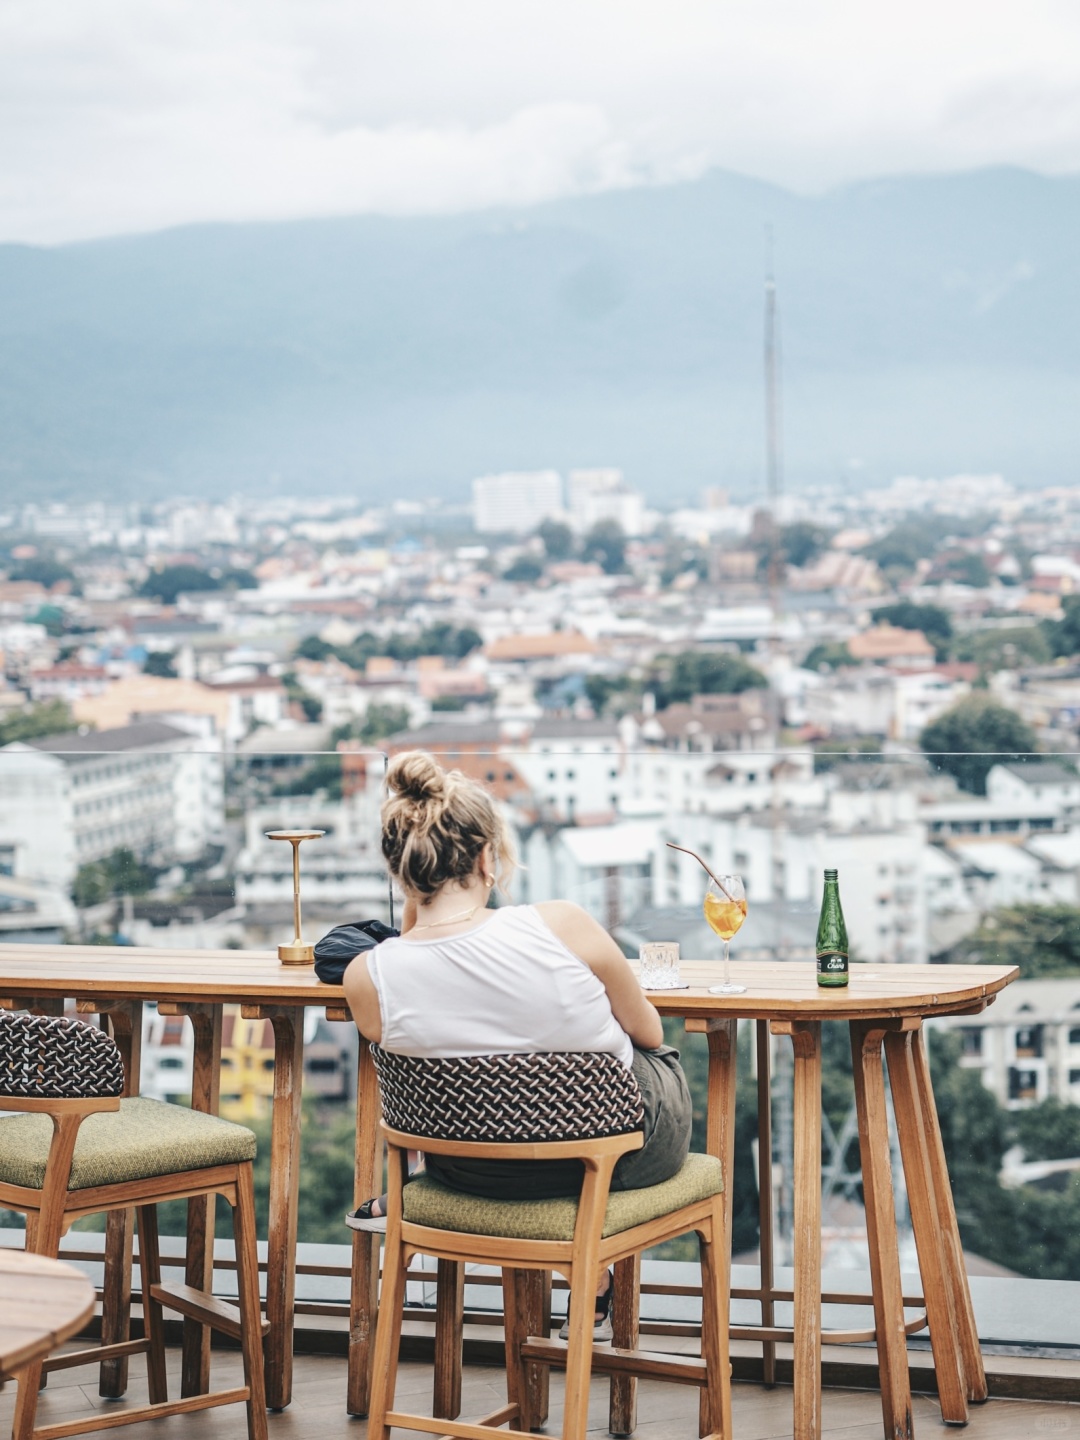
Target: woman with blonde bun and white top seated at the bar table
[(467, 980)]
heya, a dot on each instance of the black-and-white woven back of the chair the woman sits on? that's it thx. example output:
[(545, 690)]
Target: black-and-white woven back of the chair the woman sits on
[(502, 1099)]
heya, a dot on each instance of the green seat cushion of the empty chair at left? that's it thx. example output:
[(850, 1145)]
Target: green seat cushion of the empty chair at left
[(143, 1138)]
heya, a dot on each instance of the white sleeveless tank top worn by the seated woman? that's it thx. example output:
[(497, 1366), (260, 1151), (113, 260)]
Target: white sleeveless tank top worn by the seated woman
[(508, 987)]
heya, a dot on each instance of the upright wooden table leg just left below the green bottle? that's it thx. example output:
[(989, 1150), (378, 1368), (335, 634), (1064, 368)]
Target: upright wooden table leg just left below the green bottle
[(806, 1038)]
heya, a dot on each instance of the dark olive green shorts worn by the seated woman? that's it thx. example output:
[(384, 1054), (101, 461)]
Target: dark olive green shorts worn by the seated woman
[(667, 1120)]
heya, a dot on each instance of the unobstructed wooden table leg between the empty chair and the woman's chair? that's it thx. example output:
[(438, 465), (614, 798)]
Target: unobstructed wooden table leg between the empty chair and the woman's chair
[(282, 1241)]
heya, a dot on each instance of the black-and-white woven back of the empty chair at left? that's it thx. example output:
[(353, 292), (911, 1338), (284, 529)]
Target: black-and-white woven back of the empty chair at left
[(57, 1059)]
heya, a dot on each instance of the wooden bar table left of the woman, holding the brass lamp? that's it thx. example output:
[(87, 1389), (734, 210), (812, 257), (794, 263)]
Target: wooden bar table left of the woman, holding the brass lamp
[(116, 983)]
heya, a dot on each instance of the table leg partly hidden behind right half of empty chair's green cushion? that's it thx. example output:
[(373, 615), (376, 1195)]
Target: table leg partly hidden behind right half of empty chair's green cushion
[(207, 1089)]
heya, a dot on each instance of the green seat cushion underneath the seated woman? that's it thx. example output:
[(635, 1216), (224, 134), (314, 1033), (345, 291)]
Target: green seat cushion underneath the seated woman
[(428, 1203)]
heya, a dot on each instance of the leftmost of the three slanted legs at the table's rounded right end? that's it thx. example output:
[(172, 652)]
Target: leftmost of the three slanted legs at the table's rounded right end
[(882, 1238)]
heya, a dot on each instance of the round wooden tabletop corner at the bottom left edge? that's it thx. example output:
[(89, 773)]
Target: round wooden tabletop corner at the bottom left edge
[(42, 1304)]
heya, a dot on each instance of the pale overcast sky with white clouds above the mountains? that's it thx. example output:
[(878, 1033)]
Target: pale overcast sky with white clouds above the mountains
[(122, 116)]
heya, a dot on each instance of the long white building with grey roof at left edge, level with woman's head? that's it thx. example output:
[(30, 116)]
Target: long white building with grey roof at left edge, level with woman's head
[(70, 800)]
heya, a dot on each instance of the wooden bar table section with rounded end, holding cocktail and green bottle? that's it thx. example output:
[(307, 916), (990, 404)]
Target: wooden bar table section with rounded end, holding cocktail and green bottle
[(885, 1009)]
